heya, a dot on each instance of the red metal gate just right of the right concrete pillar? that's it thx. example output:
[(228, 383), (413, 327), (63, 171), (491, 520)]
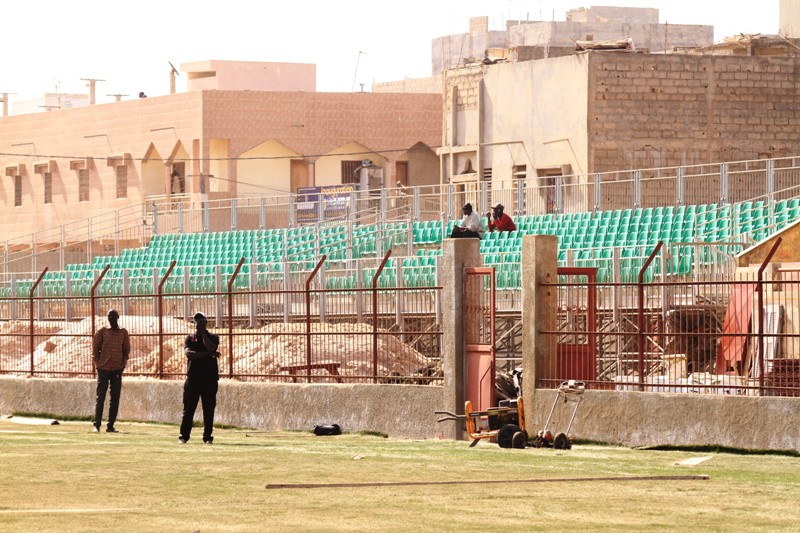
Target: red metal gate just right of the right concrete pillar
[(576, 351)]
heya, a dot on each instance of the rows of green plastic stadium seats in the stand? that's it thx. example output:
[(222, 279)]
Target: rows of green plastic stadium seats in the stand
[(584, 239)]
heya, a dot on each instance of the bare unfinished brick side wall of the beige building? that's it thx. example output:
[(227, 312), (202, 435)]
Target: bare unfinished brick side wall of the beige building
[(650, 111)]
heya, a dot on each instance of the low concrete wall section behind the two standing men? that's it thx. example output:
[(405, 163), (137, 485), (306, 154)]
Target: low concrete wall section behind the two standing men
[(405, 411)]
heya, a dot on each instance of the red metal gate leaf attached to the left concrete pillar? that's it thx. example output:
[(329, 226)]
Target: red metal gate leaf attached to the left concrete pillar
[(479, 336)]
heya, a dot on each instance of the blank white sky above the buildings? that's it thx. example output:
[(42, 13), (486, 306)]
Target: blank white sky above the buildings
[(48, 44)]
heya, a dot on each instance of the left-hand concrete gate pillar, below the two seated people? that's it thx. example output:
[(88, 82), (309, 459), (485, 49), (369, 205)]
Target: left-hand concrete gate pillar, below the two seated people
[(457, 254)]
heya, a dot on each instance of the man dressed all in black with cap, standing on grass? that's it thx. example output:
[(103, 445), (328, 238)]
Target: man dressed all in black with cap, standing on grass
[(202, 379)]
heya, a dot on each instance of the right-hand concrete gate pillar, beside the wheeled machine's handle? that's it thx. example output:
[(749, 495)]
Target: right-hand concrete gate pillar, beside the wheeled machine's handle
[(539, 265)]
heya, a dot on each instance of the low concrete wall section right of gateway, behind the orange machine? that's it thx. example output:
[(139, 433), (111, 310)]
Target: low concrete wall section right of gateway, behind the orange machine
[(653, 419)]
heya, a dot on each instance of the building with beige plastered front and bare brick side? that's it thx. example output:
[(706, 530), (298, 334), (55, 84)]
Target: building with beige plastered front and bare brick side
[(605, 111)]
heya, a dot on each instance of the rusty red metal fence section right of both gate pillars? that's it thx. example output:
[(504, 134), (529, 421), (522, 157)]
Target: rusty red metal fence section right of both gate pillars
[(736, 336)]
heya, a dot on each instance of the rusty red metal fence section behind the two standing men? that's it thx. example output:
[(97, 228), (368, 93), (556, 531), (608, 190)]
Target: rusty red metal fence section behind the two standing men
[(289, 327)]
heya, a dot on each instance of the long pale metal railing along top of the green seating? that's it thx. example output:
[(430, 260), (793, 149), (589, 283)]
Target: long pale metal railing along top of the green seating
[(767, 180)]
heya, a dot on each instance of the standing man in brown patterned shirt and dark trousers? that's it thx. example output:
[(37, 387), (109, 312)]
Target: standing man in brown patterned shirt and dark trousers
[(111, 347)]
